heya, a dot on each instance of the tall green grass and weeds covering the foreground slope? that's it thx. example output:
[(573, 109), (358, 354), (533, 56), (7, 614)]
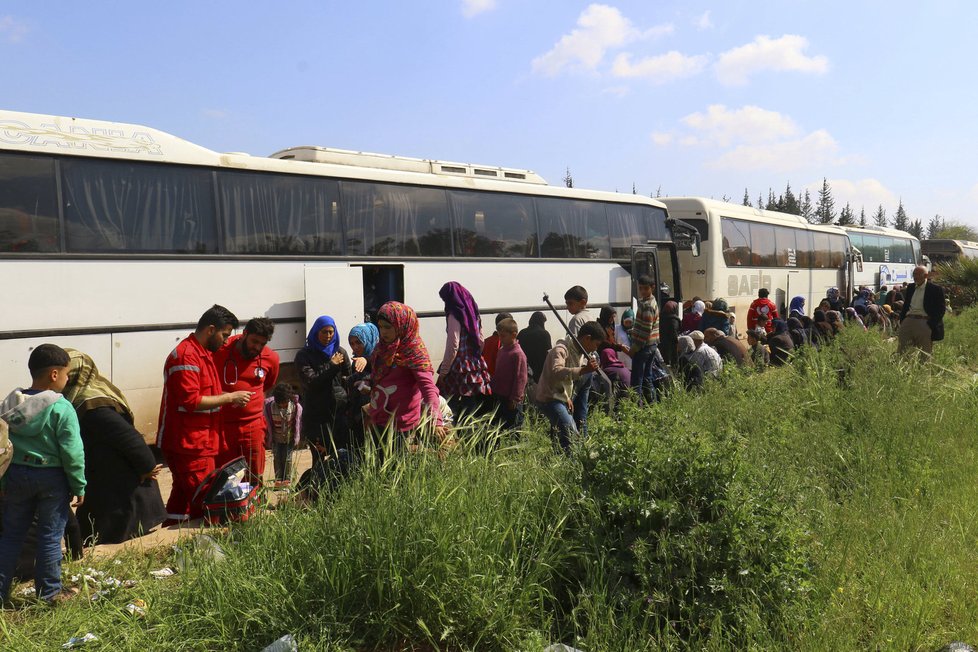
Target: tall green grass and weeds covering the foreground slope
[(827, 506)]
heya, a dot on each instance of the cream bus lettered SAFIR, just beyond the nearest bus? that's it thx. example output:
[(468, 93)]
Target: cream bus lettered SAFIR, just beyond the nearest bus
[(744, 249)]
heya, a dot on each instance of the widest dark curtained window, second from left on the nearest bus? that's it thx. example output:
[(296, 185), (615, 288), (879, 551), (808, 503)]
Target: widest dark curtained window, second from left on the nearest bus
[(138, 207)]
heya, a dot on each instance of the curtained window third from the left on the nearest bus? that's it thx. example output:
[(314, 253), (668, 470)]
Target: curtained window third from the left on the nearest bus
[(273, 214)]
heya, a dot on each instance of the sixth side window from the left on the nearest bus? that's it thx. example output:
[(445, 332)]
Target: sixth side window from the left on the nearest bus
[(573, 229)]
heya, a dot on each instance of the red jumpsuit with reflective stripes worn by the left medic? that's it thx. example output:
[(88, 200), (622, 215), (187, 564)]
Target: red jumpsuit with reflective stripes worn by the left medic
[(188, 436)]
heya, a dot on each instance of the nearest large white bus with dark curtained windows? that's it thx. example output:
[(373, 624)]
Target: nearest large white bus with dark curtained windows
[(115, 238)]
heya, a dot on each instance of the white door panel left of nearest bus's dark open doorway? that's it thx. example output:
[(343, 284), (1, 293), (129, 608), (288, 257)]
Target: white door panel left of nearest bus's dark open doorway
[(336, 291)]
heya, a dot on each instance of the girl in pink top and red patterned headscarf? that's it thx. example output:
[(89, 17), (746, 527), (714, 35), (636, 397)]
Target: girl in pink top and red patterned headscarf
[(402, 378)]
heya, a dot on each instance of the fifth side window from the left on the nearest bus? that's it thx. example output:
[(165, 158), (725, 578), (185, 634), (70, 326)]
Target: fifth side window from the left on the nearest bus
[(493, 225)]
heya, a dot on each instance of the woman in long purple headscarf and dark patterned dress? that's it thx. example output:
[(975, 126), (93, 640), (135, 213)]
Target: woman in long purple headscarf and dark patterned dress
[(463, 376)]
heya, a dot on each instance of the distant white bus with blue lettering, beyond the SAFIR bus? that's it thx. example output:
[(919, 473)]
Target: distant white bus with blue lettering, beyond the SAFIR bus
[(888, 256)]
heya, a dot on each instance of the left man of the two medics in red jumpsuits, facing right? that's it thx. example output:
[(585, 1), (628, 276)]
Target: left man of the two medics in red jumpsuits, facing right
[(190, 419)]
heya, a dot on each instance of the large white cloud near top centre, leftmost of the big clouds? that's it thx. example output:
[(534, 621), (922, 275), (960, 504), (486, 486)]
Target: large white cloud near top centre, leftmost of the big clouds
[(599, 28)]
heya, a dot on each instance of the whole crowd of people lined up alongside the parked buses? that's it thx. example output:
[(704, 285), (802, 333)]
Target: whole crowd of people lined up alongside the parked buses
[(73, 435)]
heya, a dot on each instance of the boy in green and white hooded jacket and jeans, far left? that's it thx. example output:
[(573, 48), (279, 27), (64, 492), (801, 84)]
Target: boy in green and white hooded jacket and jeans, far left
[(47, 469)]
